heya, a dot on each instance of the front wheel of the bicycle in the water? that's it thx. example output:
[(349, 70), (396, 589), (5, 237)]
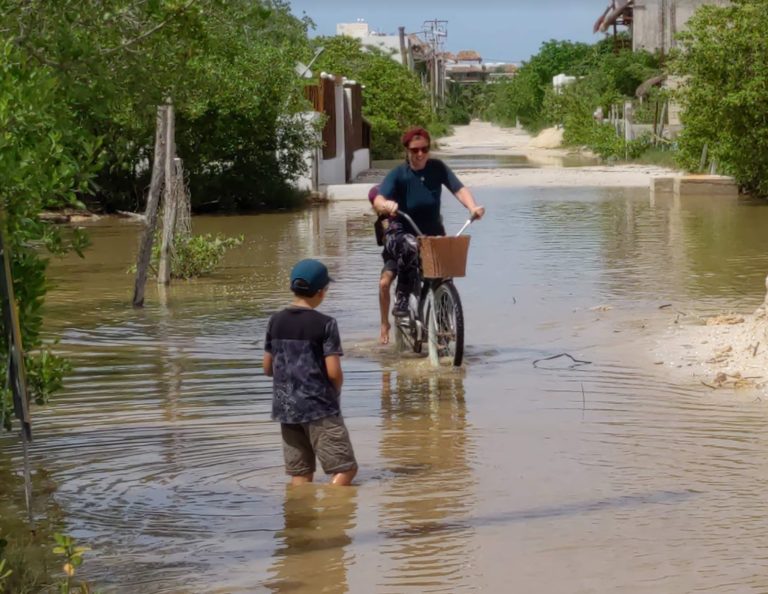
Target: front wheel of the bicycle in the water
[(445, 320)]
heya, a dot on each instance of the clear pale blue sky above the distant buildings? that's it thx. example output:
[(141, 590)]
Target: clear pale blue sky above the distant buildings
[(501, 31)]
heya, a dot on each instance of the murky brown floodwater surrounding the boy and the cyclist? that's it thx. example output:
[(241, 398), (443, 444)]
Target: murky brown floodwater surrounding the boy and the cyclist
[(606, 476)]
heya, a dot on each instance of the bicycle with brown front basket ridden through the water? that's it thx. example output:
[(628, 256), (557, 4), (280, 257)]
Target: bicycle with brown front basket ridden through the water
[(435, 314)]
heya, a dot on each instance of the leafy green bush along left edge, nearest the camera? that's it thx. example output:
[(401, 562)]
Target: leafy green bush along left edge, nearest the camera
[(46, 161)]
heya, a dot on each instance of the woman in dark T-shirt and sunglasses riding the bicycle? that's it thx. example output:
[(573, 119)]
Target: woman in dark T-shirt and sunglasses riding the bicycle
[(413, 188)]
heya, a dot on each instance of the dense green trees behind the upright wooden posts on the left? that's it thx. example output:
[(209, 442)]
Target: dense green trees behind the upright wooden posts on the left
[(228, 66)]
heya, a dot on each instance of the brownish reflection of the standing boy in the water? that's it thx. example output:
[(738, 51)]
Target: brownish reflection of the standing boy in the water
[(312, 552)]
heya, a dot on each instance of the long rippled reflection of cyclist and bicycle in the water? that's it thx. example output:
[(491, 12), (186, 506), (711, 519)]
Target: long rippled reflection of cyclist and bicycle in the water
[(426, 445)]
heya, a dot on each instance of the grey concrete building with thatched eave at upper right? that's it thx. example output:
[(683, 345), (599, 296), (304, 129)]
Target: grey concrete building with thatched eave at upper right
[(653, 24)]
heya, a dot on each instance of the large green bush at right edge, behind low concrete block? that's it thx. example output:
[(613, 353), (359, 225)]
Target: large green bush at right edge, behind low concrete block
[(724, 65)]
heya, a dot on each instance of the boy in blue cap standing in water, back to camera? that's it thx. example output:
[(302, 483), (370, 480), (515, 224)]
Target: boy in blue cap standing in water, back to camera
[(302, 354)]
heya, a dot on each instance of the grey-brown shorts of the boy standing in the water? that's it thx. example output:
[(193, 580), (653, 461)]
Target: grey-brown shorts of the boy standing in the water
[(327, 439)]
